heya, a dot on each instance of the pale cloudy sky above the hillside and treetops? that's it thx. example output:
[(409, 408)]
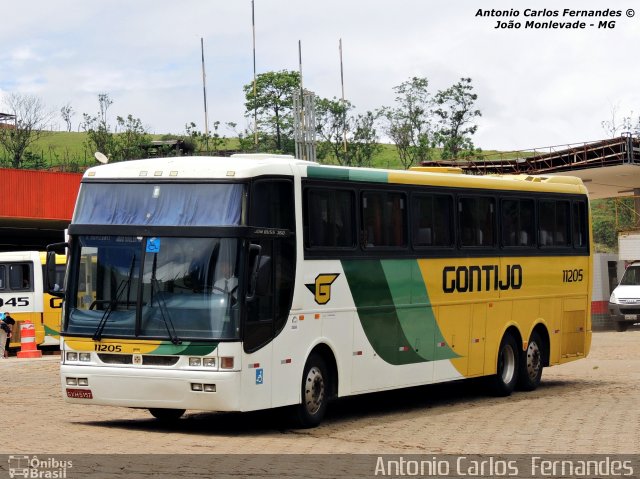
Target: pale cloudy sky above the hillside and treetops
[(536, 87)]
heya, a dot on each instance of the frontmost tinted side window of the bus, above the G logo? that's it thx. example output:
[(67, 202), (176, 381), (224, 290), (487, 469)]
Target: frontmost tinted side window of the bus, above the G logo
[(329, 220)]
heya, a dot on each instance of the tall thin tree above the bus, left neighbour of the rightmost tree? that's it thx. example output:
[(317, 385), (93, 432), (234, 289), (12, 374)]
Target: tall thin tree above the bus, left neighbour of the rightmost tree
[(409, 123)]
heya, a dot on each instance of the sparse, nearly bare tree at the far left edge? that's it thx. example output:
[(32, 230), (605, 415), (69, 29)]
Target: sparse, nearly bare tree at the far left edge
[(31, 118)]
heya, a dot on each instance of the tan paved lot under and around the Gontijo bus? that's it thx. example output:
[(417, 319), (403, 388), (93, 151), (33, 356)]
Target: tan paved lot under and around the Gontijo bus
[(589, 406)]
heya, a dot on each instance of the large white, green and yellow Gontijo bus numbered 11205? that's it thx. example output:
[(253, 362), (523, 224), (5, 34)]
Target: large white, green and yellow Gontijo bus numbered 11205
[(262, 281)]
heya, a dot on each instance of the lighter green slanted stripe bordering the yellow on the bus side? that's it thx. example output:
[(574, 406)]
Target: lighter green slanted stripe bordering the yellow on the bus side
[(416, 317)]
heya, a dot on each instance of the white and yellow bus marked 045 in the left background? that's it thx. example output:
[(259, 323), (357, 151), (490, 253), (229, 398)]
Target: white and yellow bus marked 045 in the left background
[(23, 296)]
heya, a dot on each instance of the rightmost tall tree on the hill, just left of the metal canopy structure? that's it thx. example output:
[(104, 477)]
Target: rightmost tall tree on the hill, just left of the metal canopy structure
[(456, 113)]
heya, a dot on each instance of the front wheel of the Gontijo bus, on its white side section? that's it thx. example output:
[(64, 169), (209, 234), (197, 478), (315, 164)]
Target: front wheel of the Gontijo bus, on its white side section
[(315, 391)]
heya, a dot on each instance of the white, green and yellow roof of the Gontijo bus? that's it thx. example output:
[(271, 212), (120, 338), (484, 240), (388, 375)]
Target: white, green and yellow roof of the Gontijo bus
[(252, 165)]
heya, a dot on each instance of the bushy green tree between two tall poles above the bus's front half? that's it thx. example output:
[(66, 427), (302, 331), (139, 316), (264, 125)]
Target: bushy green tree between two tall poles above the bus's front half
[(273, 104)]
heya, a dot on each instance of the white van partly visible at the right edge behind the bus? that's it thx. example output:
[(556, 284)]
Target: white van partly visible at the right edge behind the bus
[(624, 303)]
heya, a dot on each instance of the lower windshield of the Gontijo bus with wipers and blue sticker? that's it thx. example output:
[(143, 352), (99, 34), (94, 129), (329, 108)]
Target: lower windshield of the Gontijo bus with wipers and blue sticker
[(164, 288)]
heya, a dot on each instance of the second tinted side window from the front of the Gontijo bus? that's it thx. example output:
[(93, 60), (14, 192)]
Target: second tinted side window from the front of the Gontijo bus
[(383, 219)]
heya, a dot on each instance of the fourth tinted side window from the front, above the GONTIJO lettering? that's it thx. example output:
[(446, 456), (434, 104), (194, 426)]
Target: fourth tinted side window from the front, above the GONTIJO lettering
[(477, 221)]
